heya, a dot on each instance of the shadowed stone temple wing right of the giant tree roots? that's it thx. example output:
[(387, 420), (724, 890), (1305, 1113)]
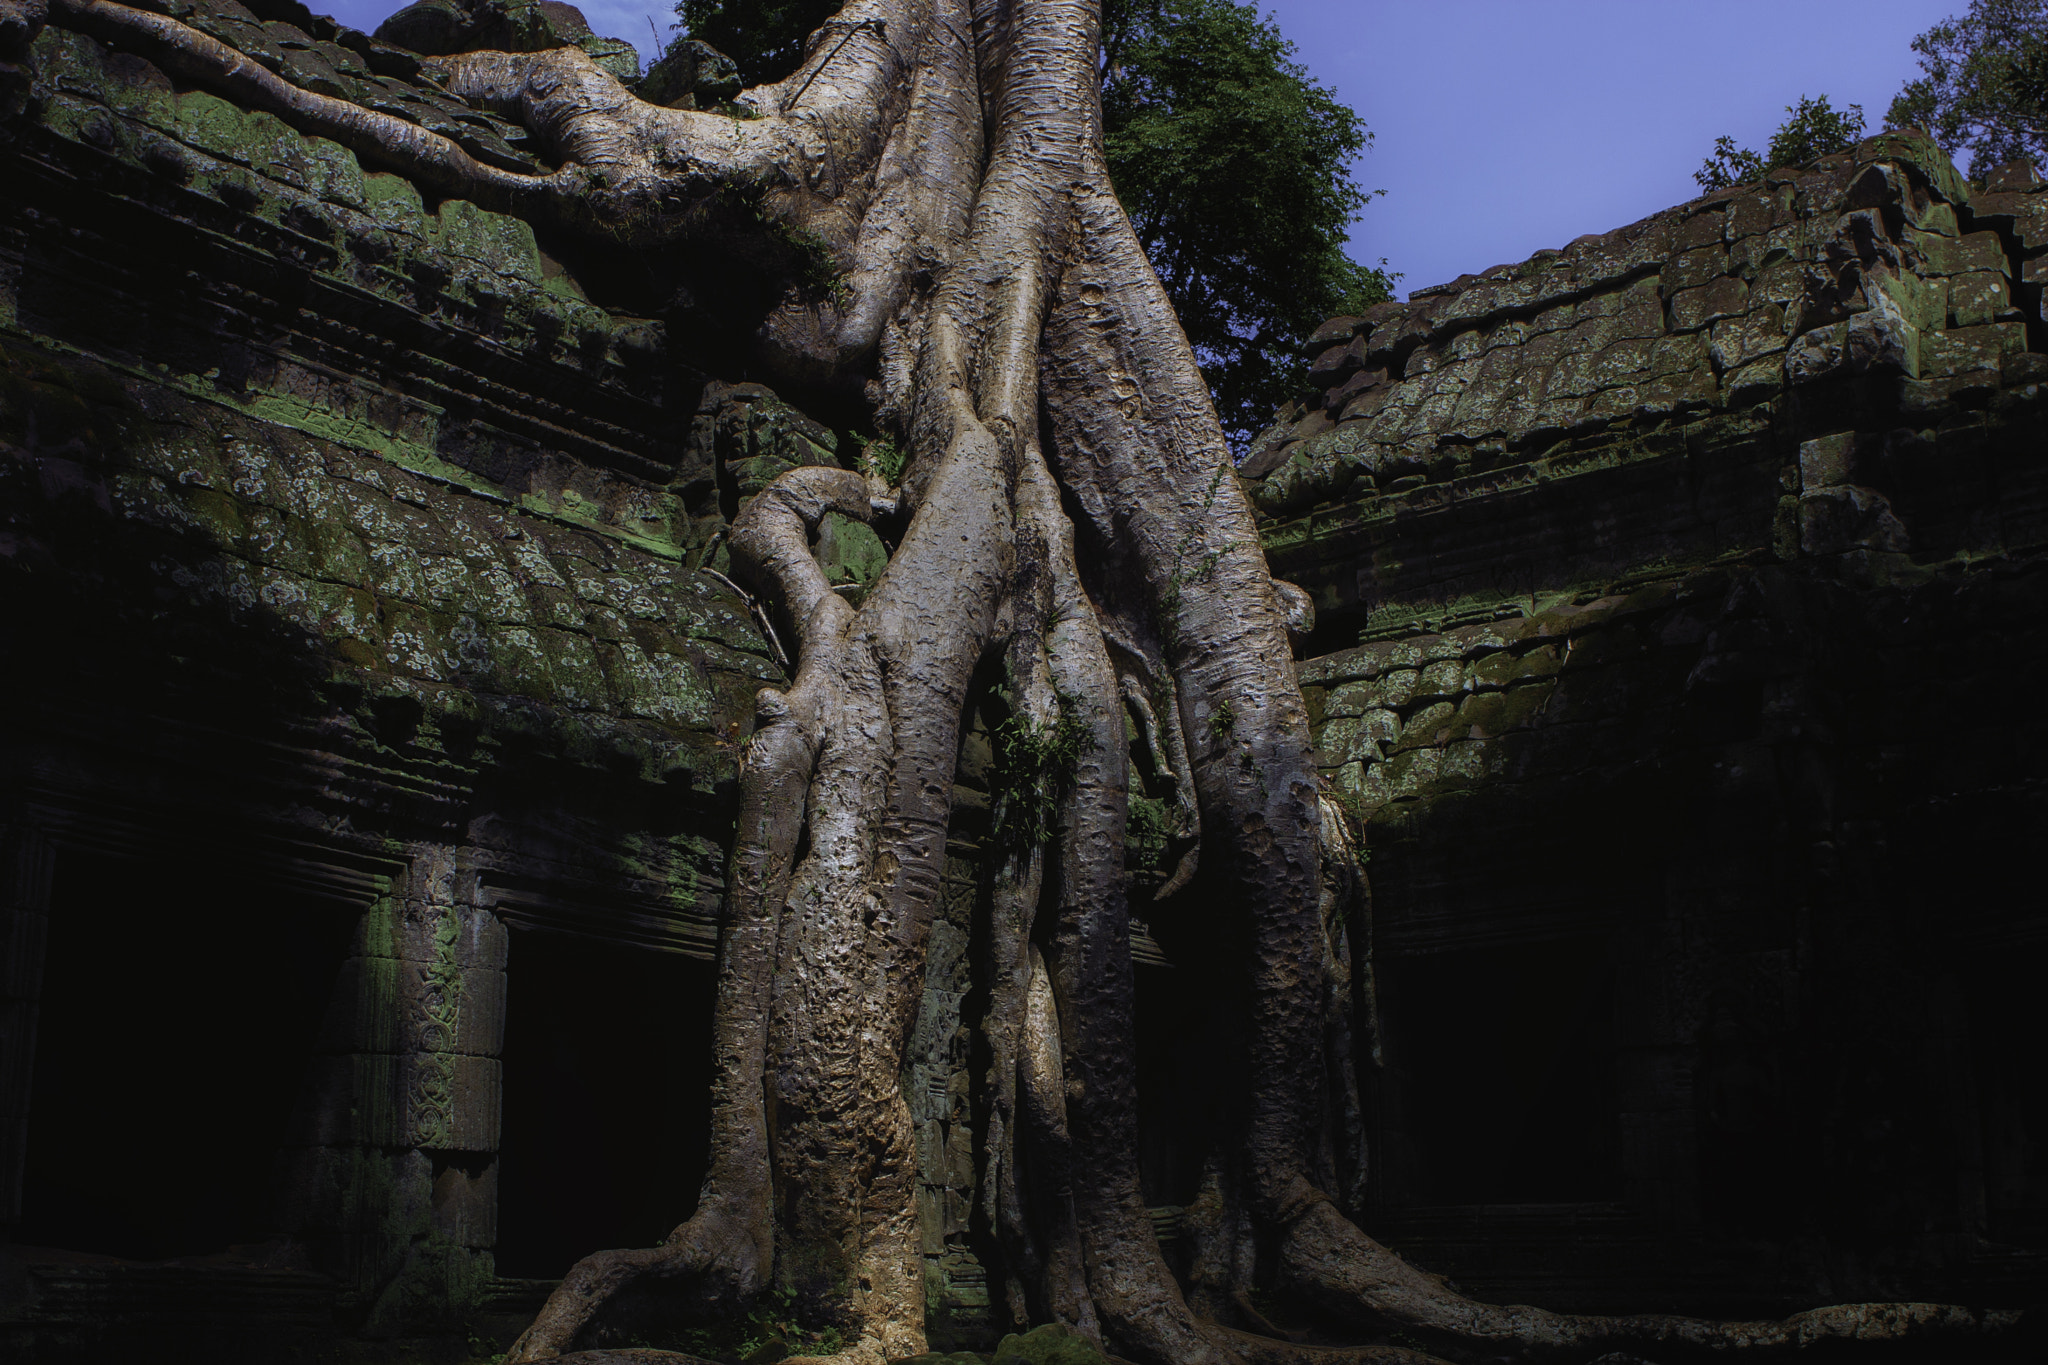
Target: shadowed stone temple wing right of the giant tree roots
[(1666, 590)]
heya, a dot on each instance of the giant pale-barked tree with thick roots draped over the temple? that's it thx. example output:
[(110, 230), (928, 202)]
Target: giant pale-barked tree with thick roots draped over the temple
[(1066, 517)]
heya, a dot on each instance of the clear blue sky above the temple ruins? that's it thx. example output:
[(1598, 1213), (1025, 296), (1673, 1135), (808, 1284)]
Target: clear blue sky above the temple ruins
[(1510, 126)]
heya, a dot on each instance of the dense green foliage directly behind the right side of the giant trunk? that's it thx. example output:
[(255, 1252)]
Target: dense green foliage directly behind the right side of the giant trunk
[(1234, 167)]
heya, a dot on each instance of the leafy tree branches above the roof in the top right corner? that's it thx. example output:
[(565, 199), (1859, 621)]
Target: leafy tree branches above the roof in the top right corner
[(1986, 85)]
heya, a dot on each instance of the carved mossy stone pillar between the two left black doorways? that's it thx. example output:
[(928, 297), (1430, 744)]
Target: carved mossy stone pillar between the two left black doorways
[(398, 1186)]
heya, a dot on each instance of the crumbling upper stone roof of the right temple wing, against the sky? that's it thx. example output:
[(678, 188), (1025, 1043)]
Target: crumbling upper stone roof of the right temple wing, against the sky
[(1877, 257)]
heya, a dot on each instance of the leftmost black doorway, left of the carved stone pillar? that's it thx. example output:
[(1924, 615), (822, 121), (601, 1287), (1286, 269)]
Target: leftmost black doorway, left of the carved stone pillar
[(181, 1000)]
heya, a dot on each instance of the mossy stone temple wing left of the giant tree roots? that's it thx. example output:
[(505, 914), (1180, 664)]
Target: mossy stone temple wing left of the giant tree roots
[(353, 549)]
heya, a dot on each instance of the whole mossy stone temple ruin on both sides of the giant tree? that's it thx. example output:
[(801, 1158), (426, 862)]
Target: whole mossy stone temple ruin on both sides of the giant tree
[(374, 707)]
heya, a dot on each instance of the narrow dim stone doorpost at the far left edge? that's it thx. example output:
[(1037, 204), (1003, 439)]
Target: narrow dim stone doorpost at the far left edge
[(26, 861)]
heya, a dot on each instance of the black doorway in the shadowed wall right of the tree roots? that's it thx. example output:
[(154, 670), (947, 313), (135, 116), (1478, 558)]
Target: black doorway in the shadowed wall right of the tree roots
[(1508, 1065)]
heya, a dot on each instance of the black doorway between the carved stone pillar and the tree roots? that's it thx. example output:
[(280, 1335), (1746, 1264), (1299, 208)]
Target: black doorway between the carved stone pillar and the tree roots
[(607, 1100)]
